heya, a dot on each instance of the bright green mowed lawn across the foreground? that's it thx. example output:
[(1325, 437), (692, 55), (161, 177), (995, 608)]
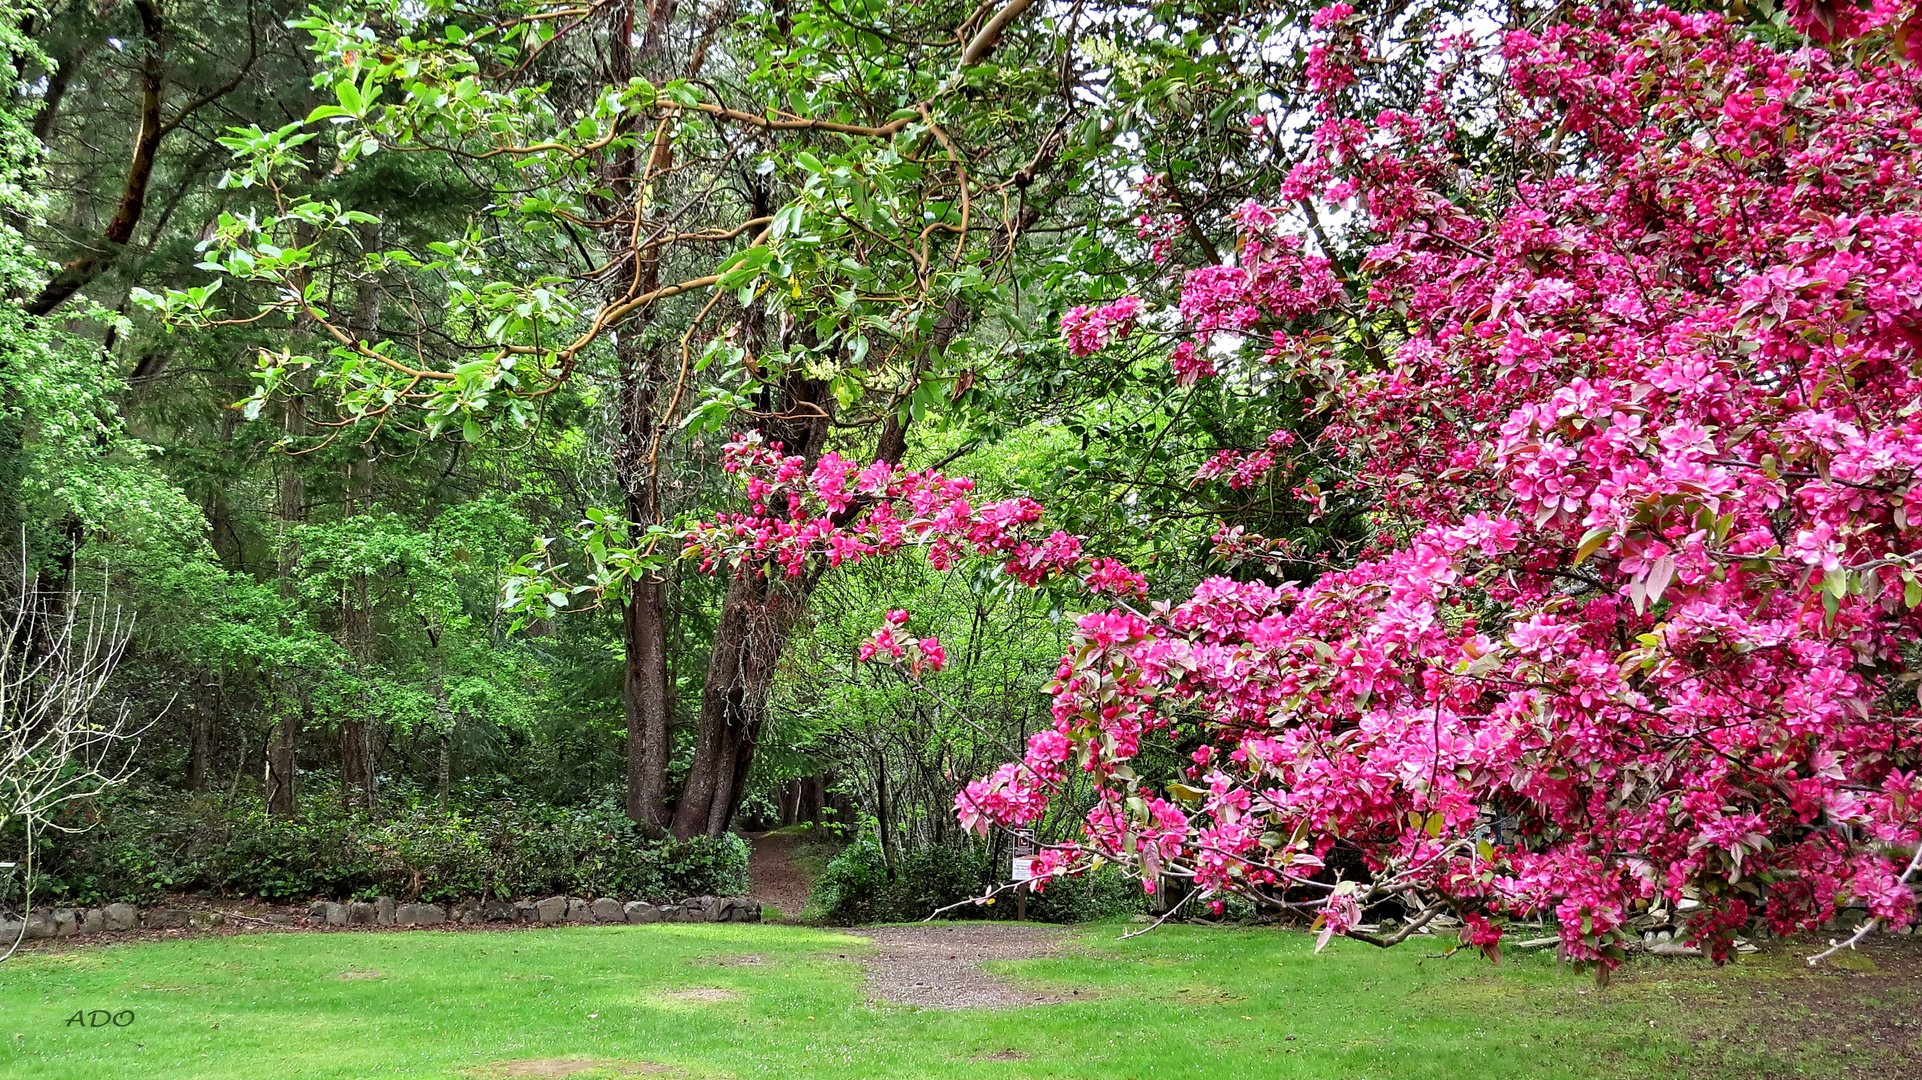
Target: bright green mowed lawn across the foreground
[(793, 1002)]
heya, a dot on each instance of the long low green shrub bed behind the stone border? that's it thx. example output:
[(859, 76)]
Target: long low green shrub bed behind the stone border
[(139, 848)]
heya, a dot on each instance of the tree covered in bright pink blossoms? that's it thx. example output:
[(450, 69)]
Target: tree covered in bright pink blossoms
[(1642, 418)]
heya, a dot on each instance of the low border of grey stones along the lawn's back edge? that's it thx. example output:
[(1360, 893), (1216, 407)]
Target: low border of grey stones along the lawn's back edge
[(383, 912)]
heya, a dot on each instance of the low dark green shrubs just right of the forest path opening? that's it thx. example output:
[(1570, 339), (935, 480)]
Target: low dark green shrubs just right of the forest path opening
[(858, 889)]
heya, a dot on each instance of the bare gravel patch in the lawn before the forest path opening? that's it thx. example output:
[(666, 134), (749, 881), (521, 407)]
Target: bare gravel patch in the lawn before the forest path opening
[(939, 966)]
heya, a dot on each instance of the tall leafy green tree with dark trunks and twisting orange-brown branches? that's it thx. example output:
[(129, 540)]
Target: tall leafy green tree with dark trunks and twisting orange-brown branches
[(818, 268)]
